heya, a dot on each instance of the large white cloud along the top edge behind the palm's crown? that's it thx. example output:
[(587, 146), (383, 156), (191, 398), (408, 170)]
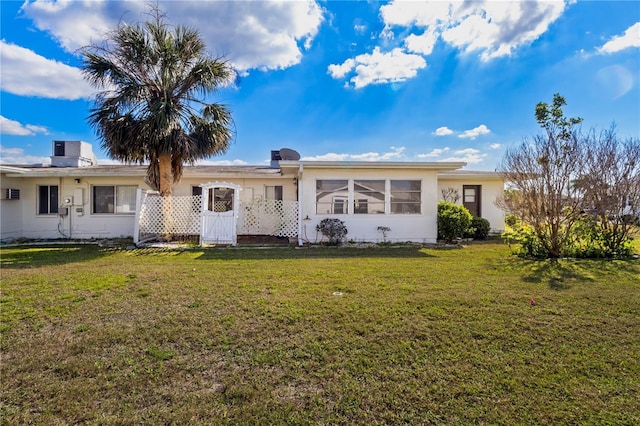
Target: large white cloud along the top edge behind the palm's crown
[(250, 34)]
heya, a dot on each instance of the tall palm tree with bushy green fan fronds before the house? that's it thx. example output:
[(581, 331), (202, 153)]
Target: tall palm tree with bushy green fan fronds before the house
[(149, 109)]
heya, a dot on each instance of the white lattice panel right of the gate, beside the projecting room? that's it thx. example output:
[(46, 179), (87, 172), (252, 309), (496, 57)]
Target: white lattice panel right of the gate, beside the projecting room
[(268, 217)]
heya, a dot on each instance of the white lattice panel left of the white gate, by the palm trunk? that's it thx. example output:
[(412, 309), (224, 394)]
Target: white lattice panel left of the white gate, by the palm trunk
[(170, 215)]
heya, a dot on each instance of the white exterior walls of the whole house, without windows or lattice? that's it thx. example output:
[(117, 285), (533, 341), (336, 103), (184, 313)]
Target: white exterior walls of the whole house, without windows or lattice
[(20, 219)]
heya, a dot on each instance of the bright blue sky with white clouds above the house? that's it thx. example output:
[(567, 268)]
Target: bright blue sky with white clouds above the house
[(345, 80)]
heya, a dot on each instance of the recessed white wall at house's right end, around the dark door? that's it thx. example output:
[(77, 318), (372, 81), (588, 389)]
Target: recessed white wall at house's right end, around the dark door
[(491, 189)]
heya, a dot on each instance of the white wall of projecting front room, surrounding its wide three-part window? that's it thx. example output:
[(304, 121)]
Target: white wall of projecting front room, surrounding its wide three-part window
[(363, 227)]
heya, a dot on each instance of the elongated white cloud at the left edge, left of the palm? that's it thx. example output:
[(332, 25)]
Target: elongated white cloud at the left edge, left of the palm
[(26, 73)]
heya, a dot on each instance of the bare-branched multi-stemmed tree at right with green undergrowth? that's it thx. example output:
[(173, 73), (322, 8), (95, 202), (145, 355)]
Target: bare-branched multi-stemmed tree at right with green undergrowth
[(574, 190)]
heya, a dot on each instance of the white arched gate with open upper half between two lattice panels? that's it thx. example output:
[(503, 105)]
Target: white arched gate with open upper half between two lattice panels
[(219, 204)]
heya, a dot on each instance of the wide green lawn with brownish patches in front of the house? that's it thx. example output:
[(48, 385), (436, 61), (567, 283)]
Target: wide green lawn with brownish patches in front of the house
[(105, 336)]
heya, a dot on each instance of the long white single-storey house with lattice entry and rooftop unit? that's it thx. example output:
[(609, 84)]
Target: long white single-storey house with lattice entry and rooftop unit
[(76, 198)]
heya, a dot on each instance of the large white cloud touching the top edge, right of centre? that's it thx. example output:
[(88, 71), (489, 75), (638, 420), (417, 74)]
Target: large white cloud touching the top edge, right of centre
[(493, 29)]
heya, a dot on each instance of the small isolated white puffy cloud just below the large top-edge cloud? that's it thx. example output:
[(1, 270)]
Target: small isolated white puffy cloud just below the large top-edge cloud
[(379, 68)]
